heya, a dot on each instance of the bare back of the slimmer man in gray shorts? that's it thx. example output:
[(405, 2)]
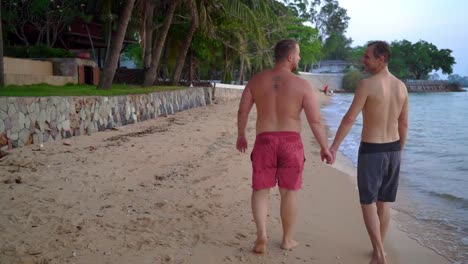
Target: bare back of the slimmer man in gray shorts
[(385, 99)]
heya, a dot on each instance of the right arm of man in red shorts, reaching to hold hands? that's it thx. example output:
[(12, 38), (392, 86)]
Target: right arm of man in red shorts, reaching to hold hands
[(312, 112)]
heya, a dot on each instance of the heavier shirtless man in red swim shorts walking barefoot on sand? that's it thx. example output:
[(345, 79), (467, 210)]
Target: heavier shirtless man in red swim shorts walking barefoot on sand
[(278, 154)]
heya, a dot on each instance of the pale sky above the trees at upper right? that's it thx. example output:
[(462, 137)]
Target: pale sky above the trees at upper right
[(443, 23)]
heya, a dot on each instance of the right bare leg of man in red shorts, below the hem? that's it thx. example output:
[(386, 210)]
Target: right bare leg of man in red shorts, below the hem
[(288, 211)]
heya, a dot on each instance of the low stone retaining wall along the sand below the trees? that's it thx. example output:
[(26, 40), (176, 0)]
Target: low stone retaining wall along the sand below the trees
[(34, 120)]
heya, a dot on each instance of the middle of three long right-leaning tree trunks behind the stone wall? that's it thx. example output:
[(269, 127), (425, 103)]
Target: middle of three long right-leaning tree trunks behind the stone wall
[(150, 73)]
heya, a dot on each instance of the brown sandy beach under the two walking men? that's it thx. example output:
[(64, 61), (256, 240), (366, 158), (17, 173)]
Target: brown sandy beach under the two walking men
[(175, 190)]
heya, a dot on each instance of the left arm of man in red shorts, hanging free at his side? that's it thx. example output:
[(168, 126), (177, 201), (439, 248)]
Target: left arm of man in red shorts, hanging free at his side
[(245, 106)]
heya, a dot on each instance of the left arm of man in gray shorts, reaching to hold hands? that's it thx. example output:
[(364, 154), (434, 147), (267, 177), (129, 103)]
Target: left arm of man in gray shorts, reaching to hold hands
[(360, 97)]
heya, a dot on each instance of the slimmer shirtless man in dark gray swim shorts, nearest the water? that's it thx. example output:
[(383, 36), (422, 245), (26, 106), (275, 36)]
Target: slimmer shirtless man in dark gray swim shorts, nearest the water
[(383, 100)]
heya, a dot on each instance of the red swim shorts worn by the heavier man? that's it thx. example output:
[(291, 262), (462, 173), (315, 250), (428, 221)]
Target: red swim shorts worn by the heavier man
[(277, 157)]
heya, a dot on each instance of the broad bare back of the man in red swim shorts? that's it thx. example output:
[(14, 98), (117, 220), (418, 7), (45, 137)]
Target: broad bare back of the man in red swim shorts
[(278, 96)]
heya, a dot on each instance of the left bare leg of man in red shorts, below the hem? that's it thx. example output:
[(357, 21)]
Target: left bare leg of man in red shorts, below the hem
[(260, 214)]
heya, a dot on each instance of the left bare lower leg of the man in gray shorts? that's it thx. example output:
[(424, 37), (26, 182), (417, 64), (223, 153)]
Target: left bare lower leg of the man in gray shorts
[(372, 222)]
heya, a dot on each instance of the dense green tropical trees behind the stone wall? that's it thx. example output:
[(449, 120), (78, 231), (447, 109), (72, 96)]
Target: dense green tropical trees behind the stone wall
[(181, 39)]
